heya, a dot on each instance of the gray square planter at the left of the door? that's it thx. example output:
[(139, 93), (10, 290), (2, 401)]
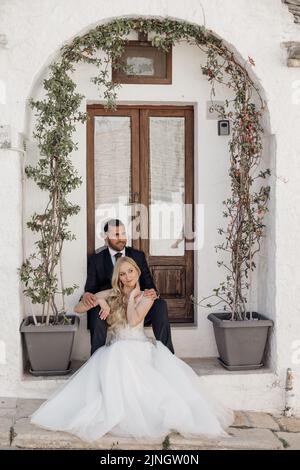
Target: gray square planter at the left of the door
[(49, 347)]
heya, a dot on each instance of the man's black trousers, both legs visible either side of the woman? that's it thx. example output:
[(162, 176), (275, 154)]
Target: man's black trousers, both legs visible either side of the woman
[(157, 317)]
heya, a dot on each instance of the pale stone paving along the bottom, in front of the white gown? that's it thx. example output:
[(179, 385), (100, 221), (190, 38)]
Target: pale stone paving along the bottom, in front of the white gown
[(251, 430)]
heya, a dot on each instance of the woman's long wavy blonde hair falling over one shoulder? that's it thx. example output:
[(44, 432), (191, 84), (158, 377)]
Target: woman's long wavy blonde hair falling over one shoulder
[(117, 300)]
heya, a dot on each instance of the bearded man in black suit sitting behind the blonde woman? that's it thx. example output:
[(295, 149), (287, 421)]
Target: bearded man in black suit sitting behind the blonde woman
[(99, 274)]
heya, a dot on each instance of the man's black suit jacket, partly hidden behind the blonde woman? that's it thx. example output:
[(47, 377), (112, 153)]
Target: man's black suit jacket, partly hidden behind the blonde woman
[(100, 269)]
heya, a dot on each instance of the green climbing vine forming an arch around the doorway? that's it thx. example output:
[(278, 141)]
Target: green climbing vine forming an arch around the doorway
[(58, 113)]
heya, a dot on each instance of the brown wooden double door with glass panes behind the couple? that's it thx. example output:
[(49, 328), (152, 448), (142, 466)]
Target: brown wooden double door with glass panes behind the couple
[(144, 156)]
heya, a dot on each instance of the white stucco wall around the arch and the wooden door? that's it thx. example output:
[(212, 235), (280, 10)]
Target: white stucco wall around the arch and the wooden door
[(35, 31)]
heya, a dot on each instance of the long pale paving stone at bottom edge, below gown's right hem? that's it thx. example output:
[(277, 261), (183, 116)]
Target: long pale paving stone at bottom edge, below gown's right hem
[(246, 439)]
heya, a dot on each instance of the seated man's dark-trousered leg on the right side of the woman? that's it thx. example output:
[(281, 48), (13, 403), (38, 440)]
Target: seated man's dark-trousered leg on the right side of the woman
[(158, 318)]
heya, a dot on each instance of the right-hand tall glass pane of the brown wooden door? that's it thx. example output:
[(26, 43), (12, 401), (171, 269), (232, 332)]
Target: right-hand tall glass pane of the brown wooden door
[(167, 169)]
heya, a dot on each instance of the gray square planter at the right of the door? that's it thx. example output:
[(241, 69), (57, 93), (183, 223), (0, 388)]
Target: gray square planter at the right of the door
[(241, 344)]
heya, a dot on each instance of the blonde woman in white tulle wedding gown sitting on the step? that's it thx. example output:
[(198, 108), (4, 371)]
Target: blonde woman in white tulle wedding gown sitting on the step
[(132, 386)]
